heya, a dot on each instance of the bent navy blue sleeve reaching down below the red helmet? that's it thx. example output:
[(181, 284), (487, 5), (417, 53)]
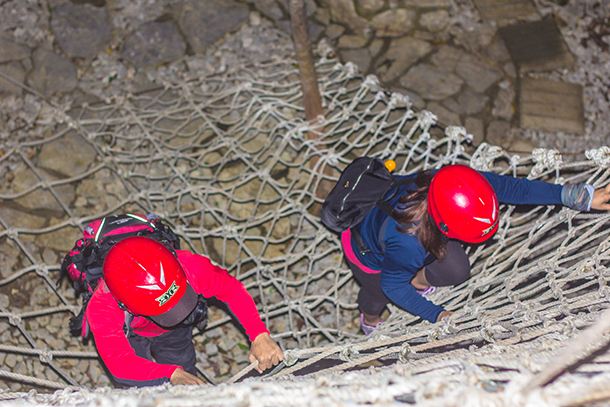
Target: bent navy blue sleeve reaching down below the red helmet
[(404, 256)]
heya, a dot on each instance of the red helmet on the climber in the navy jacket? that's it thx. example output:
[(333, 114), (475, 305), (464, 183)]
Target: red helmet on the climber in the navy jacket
[(463, 204)]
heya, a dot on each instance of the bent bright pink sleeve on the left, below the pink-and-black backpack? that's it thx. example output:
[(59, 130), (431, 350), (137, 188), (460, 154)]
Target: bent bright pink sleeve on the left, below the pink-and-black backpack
[(106, 321)]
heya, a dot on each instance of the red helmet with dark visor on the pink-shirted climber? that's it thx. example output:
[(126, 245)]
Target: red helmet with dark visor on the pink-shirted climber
[(148, 279)]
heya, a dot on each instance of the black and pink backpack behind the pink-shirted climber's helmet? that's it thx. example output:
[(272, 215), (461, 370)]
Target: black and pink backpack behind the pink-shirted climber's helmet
[(84, 263)]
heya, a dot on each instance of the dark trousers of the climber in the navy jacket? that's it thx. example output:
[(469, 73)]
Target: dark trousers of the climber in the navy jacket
[(454, 269)]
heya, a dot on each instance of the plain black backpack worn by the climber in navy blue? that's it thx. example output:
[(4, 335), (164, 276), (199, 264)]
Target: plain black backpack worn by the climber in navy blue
[(363, 184)]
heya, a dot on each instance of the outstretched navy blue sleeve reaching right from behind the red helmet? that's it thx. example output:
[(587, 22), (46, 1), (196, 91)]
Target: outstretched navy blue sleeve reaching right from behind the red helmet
[(521, 191)]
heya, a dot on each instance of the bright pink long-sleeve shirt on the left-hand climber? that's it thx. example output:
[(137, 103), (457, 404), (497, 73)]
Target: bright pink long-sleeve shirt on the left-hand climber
[(106, 319)]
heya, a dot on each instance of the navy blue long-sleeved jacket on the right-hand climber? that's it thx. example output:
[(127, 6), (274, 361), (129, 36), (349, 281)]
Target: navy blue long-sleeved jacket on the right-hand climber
[(404, 255)]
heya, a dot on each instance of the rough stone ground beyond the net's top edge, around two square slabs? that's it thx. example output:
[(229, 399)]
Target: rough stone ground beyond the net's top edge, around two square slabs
[(440, 53)]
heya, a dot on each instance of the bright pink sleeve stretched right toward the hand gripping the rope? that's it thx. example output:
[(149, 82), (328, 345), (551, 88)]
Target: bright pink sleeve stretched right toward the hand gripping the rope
[(213, 281)]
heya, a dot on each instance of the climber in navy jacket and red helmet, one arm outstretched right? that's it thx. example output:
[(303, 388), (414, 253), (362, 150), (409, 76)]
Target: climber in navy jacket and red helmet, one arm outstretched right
[(405, 256)]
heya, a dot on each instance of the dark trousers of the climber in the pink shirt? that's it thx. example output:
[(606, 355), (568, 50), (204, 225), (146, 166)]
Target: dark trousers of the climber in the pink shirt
[(172, 348)]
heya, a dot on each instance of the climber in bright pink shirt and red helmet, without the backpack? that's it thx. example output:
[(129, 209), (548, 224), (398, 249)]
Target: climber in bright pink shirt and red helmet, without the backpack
[(161, 296)]
